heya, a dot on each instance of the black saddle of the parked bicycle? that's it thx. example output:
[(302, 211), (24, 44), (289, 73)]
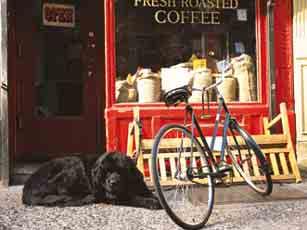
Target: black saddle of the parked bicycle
[(175, 96)]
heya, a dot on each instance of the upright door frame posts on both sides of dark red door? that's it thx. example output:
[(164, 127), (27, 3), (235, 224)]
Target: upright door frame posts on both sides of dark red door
[(8, 107)]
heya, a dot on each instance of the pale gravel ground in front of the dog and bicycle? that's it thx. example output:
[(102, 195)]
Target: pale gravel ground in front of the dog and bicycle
[(14, 215)]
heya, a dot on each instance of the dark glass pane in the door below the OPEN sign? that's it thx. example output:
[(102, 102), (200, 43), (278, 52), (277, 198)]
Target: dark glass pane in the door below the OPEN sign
[(59, 85)]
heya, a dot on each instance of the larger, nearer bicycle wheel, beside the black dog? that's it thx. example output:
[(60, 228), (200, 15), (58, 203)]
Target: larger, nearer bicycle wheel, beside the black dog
[(180, 172)]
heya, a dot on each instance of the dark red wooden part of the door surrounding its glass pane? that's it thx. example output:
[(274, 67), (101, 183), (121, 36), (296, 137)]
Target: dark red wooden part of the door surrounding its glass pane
[(52, 136)]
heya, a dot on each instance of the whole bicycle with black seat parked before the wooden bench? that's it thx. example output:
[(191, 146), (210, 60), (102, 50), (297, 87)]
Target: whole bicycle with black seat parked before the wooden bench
[(189, 201)]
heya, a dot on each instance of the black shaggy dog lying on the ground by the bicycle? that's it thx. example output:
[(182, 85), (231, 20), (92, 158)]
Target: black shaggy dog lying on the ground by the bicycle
[(73, 181)]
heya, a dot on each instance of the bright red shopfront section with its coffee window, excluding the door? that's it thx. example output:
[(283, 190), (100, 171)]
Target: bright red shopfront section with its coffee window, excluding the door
[(152, 46)]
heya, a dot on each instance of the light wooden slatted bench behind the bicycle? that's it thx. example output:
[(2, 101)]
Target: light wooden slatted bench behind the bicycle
[(278, 149)]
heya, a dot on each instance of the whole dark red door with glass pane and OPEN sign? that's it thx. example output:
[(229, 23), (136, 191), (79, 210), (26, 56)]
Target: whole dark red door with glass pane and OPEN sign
[(57, 77)]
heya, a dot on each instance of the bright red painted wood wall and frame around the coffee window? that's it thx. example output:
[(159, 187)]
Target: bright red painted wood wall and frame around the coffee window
[(153, 116)]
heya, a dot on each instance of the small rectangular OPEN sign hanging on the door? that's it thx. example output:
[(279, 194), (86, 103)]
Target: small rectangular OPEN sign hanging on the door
[(58, 15)]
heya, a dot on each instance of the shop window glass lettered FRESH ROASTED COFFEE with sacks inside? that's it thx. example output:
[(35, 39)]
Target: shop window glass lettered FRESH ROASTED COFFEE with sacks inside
[(163, 44)]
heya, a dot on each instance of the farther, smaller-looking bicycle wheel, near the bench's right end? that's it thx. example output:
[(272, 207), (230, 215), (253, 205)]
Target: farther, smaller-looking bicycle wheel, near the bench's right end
[(249, 161)]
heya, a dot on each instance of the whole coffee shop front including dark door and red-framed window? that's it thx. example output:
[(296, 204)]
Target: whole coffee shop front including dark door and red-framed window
[(71, 69)]
